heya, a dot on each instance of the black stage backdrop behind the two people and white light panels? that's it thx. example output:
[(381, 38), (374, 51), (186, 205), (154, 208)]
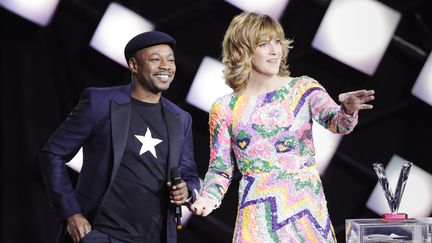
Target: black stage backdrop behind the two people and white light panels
[(44, 69)]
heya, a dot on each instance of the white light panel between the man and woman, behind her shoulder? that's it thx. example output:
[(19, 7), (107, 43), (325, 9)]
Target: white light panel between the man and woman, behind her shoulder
[(208, 84)]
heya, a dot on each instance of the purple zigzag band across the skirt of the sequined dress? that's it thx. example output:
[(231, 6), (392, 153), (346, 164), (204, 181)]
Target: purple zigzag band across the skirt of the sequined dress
[(273, 209)]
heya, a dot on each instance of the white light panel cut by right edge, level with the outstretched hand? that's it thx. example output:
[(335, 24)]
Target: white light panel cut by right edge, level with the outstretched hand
[(423, 85)]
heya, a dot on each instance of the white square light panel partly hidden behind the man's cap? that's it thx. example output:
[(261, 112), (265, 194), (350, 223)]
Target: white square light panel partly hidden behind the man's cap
[(117, 26)]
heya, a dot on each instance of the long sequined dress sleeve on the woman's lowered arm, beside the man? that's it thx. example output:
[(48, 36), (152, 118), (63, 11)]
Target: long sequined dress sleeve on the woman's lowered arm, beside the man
[(221, 165)]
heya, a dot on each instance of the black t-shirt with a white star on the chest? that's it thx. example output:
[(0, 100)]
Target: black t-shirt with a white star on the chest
[(136, 206)]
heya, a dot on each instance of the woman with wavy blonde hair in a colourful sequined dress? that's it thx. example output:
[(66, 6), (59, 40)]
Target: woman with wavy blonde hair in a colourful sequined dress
[(265, 128)]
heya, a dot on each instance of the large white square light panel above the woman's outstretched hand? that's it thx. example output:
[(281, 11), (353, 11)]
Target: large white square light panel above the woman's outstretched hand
[(357, 32)]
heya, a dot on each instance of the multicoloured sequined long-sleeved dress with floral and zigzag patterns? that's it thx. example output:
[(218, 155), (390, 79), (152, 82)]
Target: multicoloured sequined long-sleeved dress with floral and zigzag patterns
[(269, 138)]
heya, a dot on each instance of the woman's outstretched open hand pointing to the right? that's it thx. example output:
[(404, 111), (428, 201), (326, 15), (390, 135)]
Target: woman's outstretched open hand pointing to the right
[(356, 100)]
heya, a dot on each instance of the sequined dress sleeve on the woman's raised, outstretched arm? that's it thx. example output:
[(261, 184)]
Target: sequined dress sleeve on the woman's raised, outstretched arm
[(327, 113)]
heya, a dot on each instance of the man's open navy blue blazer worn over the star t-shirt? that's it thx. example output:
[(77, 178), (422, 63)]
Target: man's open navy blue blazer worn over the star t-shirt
[(99, 124)]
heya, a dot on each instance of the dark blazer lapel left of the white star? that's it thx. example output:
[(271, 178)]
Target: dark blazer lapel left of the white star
[(120, 114)]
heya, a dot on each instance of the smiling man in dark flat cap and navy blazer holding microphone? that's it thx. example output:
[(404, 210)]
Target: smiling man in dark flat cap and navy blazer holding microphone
[(132, 137)]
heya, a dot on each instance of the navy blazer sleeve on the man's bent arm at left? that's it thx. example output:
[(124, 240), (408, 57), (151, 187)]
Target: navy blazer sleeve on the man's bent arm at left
[(59, 149)]
